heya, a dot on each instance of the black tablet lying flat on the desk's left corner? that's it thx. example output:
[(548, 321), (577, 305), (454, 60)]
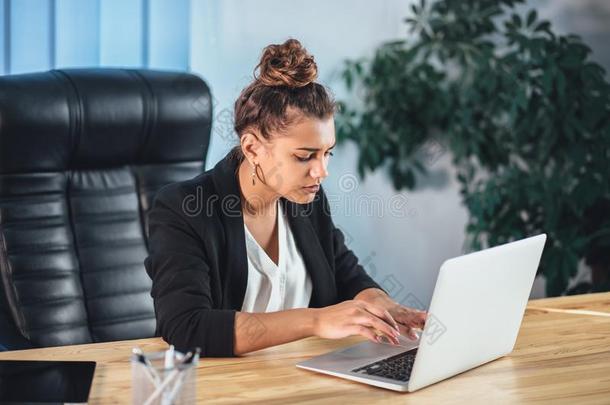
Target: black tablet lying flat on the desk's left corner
[(45, 382)]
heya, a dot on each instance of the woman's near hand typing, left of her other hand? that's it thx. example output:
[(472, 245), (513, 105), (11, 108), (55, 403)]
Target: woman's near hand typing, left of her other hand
[(355, 318)]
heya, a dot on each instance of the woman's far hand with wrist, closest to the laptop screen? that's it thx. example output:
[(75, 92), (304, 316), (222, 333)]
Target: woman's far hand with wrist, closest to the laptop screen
[(408, 319)]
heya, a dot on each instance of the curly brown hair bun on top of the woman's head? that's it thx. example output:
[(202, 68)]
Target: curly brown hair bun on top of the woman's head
[(288, 64)]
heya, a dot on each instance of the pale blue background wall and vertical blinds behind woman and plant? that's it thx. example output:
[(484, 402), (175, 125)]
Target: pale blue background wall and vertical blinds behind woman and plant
[(221, 41)]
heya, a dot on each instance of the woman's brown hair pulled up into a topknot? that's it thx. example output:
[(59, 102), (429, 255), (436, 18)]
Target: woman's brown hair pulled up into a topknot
[(282, 92)]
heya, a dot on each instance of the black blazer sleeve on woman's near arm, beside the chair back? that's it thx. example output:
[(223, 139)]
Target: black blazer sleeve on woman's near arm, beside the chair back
[(181, 291)]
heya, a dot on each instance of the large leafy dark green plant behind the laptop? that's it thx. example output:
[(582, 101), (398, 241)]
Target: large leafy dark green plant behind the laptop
[(524, 112)]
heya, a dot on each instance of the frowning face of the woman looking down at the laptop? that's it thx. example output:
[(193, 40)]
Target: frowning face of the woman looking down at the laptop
[(295, 162)]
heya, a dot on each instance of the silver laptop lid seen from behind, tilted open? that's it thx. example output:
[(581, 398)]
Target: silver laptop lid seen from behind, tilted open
[(476, 309)]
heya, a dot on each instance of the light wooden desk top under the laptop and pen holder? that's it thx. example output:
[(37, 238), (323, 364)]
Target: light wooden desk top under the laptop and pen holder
[(560, 357)]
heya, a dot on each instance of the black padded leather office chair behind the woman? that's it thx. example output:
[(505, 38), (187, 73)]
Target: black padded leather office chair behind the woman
[(82, 152)]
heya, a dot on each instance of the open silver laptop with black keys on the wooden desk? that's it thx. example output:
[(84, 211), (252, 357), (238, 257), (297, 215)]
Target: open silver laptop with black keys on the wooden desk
[(474, 317)]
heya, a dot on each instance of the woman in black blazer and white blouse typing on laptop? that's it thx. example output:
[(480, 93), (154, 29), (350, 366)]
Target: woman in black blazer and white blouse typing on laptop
[(246, 256)]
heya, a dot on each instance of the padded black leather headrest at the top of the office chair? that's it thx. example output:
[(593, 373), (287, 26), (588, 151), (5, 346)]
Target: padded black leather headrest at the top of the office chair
[(100, 118)]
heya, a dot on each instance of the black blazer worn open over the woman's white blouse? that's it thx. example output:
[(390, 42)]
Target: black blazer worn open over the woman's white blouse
[(198, 262)]
